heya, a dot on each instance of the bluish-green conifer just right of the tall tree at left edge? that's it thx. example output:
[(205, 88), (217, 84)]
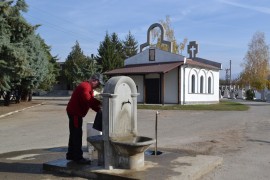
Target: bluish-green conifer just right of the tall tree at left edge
[(42, 69)]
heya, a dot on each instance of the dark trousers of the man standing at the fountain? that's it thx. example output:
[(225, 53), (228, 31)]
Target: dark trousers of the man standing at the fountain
[(75, 138)]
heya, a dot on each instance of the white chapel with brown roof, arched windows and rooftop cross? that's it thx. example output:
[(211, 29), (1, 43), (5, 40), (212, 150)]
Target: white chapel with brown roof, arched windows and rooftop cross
[(163, 77)]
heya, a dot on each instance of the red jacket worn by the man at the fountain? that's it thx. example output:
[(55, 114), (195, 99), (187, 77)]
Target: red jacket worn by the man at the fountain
[(82, 99)]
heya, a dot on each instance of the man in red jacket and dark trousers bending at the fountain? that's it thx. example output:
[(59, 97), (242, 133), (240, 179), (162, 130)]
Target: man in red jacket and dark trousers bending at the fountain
[(81, 101)]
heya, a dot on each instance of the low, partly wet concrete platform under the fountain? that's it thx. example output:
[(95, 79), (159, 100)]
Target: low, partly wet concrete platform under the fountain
[(168, 165)]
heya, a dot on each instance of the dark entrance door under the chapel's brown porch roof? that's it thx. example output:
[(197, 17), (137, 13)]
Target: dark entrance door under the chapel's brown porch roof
[(152, 91)]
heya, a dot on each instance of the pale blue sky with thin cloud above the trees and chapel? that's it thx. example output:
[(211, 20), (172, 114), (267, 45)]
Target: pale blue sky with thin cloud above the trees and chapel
[(223, 28)]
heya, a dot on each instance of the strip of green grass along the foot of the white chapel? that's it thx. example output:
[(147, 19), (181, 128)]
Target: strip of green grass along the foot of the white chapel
[(221, 106)]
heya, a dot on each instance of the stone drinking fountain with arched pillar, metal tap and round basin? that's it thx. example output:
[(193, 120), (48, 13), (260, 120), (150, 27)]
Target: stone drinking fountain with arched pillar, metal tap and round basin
[(122, 147)]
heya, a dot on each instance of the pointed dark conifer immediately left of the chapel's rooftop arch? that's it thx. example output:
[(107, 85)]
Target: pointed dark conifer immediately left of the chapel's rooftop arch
[(130, 46)]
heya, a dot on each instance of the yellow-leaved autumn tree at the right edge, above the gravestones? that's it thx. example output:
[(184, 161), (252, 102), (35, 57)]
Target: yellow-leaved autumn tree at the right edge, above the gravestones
[(256, 63)]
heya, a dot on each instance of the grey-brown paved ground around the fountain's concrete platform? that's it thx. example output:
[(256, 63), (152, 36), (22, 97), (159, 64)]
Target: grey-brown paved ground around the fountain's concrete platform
[(241, 138)]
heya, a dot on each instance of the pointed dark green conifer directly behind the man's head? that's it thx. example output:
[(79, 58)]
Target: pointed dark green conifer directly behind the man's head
[(78, 67)]
